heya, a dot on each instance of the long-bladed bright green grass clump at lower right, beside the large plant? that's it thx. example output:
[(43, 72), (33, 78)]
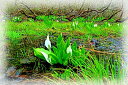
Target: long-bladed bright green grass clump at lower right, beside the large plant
[(91, 68)]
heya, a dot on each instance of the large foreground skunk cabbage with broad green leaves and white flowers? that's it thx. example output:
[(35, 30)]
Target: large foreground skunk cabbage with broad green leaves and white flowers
[(59, 54)]
